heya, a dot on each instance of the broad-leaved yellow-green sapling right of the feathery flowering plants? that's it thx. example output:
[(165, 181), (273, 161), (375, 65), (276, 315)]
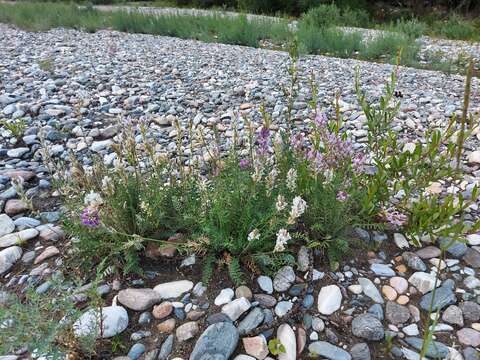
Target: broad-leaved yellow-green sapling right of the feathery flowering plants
[(410, 171)]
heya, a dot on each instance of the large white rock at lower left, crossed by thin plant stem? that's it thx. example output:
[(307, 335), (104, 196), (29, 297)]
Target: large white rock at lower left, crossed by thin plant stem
[(115, 321)]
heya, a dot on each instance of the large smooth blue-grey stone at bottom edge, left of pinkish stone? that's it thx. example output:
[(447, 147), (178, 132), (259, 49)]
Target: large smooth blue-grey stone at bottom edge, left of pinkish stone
[(218, 342)]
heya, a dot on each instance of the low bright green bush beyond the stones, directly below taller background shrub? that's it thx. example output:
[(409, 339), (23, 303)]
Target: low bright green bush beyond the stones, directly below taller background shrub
[(330, 41)]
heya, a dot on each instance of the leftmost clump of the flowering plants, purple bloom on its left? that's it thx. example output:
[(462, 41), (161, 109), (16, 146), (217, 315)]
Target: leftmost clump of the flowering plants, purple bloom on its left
[(115, 212)]
